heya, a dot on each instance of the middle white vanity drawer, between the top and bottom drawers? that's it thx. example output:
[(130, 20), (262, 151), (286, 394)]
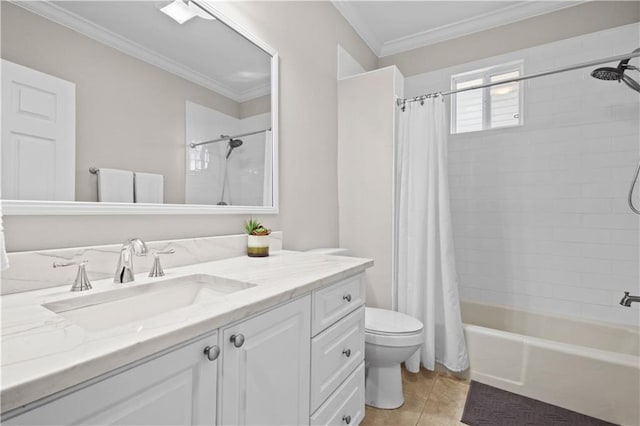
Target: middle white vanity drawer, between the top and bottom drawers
[(334, 355)]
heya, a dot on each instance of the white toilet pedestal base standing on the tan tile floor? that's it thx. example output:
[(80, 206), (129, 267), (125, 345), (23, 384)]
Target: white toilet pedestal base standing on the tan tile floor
[(383, 387)]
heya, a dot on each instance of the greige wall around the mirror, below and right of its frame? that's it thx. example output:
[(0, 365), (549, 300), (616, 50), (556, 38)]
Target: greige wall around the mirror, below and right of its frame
[(306, 35)]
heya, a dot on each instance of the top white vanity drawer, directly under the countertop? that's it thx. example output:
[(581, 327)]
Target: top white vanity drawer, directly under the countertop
[(334, 302)]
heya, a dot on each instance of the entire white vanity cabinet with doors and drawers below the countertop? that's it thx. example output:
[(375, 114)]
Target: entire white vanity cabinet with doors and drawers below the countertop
[(301, 362)]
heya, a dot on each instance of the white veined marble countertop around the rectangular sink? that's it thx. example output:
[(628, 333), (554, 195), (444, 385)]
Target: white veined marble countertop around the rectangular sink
[(43, 353)]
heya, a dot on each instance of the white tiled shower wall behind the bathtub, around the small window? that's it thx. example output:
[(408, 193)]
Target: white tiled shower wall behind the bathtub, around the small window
[(540, 217)]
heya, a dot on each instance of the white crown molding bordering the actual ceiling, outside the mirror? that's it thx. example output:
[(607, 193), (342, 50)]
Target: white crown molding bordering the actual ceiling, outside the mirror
[(506, 15)]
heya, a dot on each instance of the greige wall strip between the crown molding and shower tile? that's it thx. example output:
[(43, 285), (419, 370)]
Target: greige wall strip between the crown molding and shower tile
[(574, 21)]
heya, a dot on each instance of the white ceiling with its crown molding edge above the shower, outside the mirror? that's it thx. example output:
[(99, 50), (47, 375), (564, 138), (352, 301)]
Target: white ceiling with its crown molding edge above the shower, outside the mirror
[(390, 27)]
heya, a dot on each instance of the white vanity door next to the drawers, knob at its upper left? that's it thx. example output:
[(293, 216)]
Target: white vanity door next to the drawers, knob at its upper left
[(265, 378)]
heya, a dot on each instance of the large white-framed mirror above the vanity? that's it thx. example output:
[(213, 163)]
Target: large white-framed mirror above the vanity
[(135, 107)]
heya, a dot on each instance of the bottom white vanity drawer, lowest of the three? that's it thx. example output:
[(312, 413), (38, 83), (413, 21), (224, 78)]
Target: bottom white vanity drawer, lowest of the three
[(345, 405)]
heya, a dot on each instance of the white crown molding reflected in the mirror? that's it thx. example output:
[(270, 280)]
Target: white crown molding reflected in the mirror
[(96, 32)]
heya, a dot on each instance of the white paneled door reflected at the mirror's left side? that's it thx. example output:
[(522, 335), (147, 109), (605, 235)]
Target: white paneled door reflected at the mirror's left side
[(38, 135)]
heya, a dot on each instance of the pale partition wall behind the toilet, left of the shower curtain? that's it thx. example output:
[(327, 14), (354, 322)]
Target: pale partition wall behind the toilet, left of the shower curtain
[(366, 181)]
